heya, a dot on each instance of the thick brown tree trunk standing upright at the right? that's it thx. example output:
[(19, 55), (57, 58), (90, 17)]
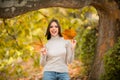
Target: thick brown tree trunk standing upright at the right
[(108, 34)]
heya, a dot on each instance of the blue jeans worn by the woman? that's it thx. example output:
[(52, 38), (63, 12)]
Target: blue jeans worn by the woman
[(51, 75)]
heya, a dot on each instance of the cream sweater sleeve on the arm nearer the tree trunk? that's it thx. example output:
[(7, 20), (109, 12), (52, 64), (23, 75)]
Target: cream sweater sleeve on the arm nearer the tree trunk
[(69, 52)]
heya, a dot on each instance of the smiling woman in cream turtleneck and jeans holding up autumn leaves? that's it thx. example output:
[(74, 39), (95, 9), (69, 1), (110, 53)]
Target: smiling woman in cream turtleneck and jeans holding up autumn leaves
[(56, 54)]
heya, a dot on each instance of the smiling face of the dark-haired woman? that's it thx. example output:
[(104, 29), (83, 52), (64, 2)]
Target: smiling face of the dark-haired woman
[(53, 29)]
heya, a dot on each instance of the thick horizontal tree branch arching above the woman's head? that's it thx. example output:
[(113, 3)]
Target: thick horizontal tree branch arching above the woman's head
[(12, 8)]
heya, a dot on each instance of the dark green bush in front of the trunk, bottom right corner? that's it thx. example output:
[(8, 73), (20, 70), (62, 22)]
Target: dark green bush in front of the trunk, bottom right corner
[(112, 63)]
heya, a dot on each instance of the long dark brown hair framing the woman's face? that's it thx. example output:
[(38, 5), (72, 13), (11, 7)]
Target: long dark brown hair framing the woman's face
[(48, 35)]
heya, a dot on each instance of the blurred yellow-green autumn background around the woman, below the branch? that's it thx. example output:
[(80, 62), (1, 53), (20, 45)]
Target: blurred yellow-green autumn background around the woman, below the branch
[(22, 37)]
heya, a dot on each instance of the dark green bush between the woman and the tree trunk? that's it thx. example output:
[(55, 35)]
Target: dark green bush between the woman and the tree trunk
[(86, 48)]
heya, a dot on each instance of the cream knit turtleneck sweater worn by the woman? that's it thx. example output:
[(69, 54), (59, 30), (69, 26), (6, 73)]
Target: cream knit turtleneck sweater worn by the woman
[(59, 54)]
